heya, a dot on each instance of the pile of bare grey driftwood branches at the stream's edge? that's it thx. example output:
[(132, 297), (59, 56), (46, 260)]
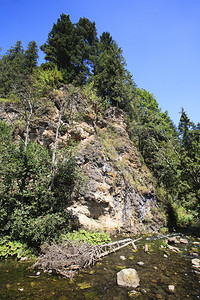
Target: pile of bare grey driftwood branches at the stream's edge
[(67, 259)]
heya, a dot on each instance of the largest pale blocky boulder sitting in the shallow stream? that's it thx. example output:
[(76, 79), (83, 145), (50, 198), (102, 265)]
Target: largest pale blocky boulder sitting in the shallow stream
[(128, 277)]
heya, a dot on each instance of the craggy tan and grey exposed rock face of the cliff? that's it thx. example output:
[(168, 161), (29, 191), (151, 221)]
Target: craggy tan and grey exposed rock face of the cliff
[(119, 192)]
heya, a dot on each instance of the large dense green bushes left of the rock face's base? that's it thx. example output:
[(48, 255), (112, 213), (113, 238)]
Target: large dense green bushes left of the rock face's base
[(30, 211)]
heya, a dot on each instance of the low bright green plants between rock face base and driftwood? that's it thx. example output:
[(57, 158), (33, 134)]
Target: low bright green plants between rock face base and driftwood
[(89, 237)]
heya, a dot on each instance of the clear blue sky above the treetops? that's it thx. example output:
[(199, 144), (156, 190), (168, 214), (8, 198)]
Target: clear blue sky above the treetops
[(160, 40)]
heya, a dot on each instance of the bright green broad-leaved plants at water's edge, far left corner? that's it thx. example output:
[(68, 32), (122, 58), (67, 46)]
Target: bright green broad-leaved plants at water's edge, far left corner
[(10, 248)]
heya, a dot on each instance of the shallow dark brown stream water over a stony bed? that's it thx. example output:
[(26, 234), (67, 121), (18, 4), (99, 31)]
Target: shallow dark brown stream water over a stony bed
[(160, 268)]
